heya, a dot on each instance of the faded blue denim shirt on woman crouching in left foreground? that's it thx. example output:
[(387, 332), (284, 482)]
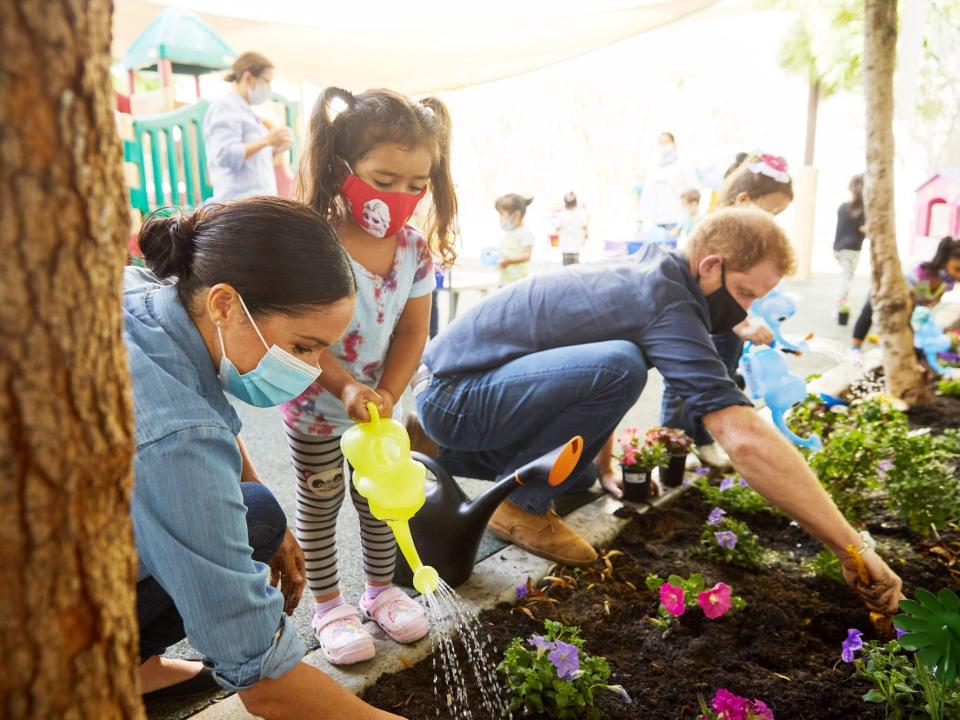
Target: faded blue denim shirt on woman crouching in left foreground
[(189, 519)]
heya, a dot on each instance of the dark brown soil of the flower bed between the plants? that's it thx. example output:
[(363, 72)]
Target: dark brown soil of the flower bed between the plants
[(784, 647)]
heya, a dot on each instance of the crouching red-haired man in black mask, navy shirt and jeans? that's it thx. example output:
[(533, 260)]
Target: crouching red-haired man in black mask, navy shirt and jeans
[(500, 387)]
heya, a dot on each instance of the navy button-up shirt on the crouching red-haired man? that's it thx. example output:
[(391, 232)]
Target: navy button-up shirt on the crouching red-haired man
[(651, 300)]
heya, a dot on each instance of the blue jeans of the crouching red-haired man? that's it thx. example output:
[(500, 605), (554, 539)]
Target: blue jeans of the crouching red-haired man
[(488, 424)]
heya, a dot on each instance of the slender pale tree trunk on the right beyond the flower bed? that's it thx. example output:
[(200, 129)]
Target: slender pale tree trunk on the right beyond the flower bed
[(890, 294)]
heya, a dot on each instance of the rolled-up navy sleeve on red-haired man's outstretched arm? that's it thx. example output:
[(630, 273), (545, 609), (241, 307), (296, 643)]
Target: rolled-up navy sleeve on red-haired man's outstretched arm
[(678, 345)]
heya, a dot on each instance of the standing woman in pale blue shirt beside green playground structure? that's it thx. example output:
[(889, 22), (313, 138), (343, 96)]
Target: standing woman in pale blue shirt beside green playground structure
[(239, 146)]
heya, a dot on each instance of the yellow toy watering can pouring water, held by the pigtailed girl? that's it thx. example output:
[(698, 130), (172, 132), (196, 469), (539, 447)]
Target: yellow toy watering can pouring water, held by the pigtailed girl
[(392, 482)]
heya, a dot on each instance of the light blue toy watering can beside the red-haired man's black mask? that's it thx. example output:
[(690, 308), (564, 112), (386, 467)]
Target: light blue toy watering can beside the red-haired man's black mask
[(765, 369)]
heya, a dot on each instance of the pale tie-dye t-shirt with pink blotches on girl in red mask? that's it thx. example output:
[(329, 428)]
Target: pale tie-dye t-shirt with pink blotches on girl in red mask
[(363, 348)]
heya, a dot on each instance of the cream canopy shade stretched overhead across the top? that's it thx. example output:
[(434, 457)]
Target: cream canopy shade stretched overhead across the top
[(415, 48)]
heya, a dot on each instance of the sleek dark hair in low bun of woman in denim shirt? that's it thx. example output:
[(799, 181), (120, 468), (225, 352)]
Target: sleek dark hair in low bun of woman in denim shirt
[(280, 255)]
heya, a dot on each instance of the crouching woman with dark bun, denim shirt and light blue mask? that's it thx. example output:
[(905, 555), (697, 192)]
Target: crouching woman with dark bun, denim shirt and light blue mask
[(261, 288)]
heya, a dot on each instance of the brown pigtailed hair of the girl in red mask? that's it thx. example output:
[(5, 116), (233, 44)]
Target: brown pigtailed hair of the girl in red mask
[(373, 118)]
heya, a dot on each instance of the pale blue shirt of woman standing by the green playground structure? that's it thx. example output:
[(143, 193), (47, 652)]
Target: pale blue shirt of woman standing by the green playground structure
[(228, 125)]
